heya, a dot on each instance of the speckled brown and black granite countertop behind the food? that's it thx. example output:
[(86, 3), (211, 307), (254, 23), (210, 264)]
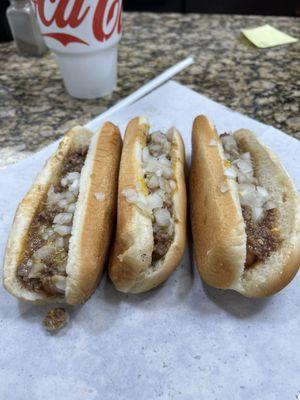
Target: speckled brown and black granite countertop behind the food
[(261, 83)]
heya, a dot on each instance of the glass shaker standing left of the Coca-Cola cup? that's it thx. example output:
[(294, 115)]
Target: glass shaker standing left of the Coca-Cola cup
[(25, 29)]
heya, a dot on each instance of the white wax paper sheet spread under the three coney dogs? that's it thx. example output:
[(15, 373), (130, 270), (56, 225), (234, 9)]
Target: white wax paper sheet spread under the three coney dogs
[(183, 340)]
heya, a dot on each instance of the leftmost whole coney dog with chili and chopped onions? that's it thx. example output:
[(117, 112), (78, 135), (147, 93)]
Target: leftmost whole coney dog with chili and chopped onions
[(62, 228)]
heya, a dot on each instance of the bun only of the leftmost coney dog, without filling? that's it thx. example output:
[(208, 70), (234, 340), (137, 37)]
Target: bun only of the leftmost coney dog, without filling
[(93, 218)]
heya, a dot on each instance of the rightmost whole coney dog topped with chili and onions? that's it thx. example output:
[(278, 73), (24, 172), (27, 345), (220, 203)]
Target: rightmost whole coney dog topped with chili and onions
[(245, 213)]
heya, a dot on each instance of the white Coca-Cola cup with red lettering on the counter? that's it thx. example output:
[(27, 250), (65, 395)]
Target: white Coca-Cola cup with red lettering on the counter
[(84, 36)]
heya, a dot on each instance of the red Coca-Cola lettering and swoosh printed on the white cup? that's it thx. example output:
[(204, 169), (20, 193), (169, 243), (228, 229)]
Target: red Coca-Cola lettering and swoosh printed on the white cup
[(106, 18)]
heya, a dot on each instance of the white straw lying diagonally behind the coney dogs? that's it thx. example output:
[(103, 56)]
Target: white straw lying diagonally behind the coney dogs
[(142, 91)]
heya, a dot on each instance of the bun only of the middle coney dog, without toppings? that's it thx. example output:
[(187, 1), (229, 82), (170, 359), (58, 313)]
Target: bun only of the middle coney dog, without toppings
[(131, 268)]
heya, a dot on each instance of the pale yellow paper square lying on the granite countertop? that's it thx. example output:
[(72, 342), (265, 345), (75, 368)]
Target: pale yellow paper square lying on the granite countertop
[(267, 36)]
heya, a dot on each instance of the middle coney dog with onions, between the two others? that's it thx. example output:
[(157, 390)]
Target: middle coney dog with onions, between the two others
[(151, 222)]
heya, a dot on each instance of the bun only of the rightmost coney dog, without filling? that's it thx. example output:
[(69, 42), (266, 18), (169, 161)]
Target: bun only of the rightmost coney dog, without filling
[(217, 222)]
